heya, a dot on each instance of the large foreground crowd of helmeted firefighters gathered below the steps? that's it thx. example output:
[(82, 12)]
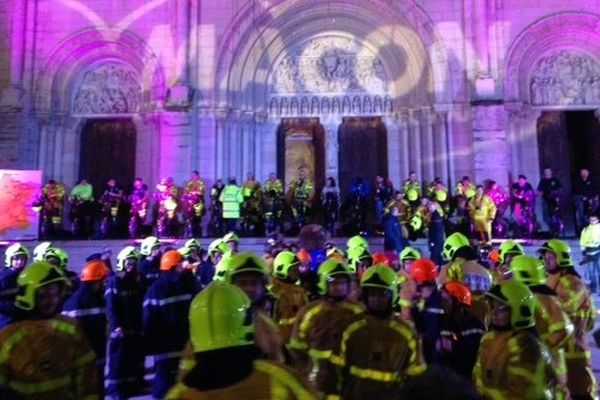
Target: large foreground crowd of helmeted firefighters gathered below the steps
[(296, 323)]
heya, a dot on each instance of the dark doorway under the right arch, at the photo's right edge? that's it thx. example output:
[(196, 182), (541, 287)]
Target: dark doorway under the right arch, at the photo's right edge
[(568, 141)]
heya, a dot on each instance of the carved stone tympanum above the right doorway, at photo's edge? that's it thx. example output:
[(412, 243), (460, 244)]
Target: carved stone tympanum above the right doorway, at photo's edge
[(566, 78)]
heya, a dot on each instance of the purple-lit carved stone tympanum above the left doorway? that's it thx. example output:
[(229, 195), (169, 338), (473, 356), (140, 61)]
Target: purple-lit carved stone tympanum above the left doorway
[(110, 88)]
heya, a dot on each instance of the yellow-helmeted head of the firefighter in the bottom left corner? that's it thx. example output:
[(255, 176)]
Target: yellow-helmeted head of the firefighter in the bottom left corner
[(41, 289)]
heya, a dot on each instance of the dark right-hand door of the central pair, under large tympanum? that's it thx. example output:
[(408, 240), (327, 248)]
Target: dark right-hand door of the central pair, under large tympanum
[(362, 150)]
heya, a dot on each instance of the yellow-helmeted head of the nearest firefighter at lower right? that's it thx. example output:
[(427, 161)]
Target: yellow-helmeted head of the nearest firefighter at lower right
[(512, 306)]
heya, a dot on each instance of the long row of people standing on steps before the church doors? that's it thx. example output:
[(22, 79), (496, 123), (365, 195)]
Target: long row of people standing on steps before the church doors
[(252, 209)]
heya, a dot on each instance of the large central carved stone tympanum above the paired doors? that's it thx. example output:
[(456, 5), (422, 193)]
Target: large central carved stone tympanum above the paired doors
[(332, 74)]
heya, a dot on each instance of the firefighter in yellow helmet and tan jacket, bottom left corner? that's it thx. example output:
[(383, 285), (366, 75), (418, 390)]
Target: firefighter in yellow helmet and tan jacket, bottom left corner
[(45, 355)]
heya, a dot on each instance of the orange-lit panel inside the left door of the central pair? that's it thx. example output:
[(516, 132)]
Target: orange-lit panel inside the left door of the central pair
[(299, 153)]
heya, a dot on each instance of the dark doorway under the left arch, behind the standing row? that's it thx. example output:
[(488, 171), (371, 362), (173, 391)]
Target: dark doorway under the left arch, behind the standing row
[(108, 148)]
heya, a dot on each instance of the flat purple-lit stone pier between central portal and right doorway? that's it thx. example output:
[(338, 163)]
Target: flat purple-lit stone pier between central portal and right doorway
[(490, 150)]
